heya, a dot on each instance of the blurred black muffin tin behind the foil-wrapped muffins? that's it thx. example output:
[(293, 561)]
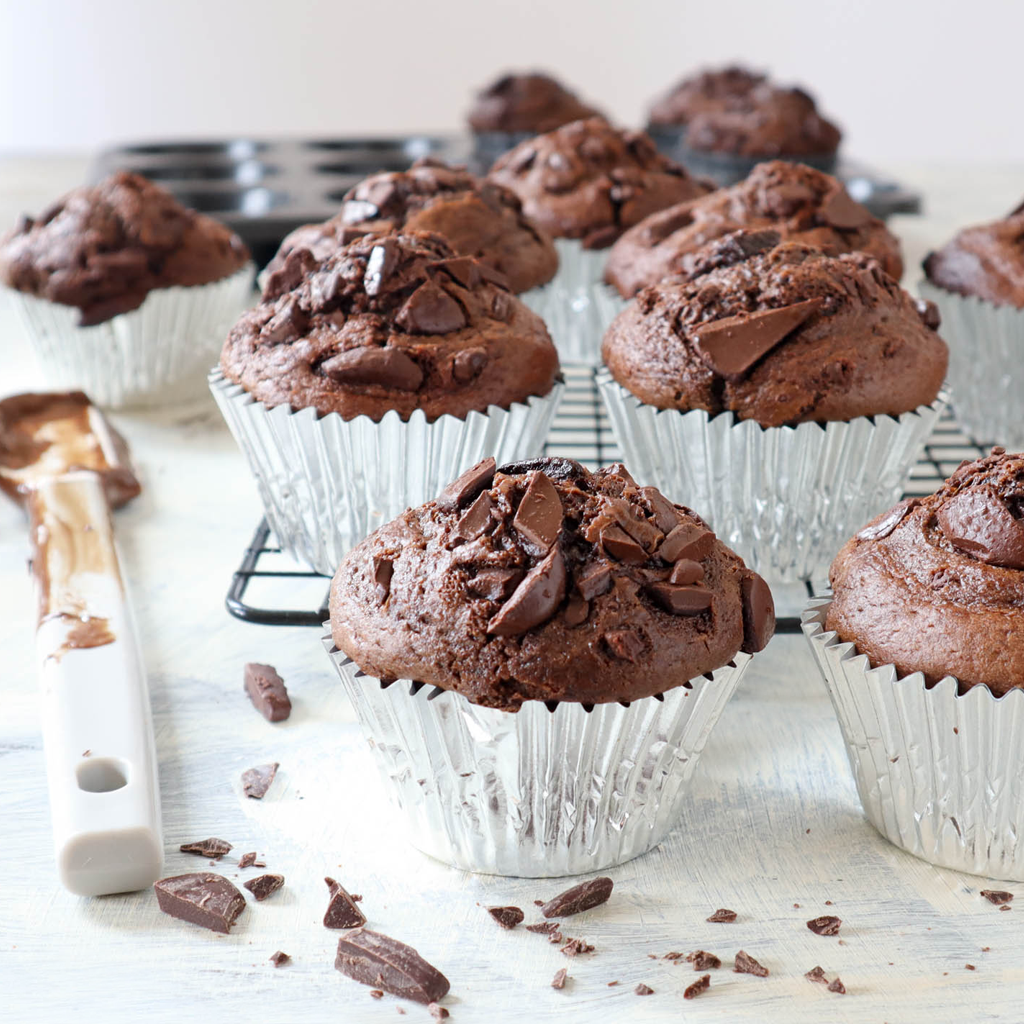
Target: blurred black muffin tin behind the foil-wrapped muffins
[(264, 189)]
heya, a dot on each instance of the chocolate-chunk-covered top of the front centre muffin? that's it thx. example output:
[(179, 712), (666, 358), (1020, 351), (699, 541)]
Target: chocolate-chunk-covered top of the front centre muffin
[(541, 581)]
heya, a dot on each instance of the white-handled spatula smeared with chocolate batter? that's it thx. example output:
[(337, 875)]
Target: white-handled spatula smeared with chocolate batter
[(66, 464)]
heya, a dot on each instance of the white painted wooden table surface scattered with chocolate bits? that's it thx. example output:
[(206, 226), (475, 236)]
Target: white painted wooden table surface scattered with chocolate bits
[(775, 820)]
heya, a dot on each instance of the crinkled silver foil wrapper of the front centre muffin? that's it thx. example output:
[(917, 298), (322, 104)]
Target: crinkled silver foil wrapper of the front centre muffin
[(536, 793)]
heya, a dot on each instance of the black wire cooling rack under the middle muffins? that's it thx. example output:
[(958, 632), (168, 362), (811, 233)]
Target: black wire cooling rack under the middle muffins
[(272, 589)]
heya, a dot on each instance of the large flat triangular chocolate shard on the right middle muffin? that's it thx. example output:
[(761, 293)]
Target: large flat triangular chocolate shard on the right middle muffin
[(731, 347)]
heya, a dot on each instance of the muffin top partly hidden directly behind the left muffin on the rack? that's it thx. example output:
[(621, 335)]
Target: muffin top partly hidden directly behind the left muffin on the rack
[(478, 218)]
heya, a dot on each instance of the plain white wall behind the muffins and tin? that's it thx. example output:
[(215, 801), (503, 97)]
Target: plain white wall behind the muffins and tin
[(910, 80)]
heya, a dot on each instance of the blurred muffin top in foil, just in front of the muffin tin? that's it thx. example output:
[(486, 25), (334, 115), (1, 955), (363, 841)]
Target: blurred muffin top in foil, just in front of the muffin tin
[(590, 182)]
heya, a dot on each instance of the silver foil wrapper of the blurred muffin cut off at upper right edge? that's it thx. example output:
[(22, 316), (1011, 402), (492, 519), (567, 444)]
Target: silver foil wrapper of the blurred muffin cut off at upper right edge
[(987, 369)]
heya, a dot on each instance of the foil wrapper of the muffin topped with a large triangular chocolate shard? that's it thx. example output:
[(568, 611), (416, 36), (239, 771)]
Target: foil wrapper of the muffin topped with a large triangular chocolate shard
[(786, 499)]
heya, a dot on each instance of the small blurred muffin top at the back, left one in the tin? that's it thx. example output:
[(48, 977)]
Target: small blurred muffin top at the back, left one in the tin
[(530, 103)]
